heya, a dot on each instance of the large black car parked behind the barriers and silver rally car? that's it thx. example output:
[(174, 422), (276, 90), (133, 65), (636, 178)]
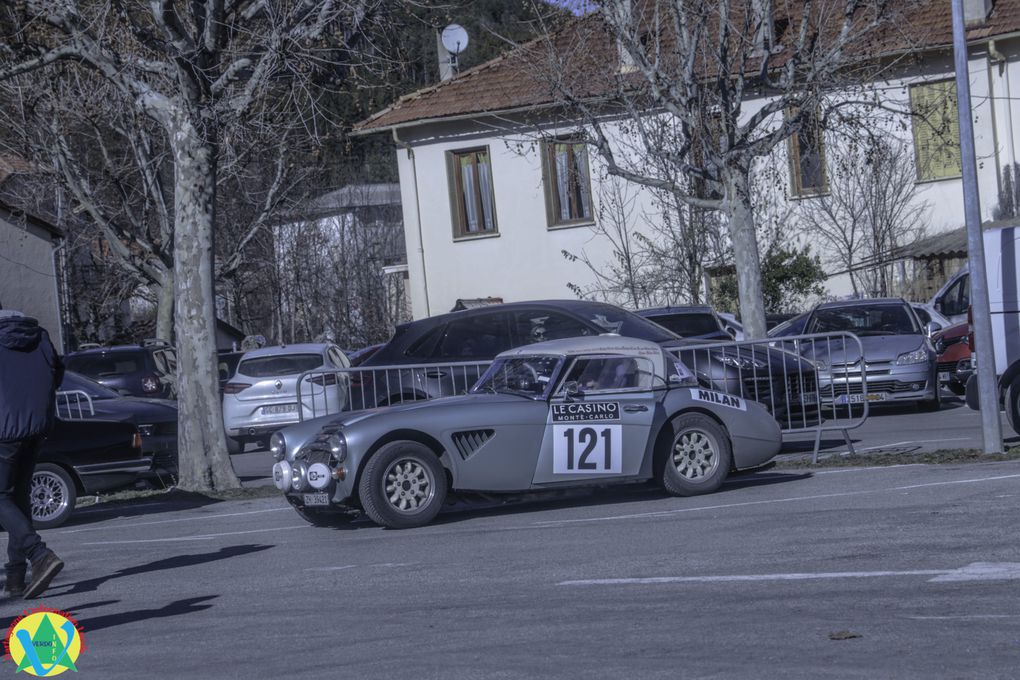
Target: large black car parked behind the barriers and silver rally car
[(479, 335)]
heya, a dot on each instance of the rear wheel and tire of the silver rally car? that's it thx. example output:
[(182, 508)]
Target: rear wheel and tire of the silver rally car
[(699, 457)]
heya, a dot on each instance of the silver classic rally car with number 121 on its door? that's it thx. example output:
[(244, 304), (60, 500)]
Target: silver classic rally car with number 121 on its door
[(575, 412)]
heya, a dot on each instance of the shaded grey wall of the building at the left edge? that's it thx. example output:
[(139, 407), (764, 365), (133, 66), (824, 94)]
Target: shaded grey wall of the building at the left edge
[(28, 278)]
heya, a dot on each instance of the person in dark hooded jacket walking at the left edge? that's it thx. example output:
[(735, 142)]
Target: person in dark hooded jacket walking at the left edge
[(30, 374)]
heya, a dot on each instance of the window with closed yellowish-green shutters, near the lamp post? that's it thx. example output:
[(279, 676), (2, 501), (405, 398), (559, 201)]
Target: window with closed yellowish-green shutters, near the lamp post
[(937, 130)]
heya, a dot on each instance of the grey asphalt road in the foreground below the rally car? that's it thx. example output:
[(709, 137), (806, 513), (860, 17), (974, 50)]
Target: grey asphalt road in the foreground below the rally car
[(902, 572)]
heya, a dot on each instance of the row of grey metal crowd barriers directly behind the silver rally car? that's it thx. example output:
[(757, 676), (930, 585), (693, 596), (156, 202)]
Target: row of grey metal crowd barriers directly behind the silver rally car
[(810, 384)]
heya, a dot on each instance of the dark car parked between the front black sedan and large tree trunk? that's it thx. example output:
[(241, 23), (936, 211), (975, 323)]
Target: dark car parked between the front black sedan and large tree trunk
[(157, 419)]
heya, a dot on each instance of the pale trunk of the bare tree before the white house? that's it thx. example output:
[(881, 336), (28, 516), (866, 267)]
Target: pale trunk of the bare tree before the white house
[(740, 216)]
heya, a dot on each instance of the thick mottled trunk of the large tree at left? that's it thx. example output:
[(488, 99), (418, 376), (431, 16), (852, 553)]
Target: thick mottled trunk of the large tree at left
[(205, 462)]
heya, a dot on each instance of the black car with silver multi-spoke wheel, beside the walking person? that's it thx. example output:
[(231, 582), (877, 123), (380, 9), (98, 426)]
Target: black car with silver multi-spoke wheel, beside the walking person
[(84, 457)]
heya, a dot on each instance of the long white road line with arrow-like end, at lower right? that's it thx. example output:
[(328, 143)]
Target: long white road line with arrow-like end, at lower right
[(978, 571)]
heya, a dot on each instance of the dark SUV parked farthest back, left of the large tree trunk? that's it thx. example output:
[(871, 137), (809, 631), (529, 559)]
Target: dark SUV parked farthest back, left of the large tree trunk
[(148, 370)]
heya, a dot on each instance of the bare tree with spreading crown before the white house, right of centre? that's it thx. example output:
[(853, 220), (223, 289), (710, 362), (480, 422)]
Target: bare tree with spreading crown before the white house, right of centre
[(707, 91)]
